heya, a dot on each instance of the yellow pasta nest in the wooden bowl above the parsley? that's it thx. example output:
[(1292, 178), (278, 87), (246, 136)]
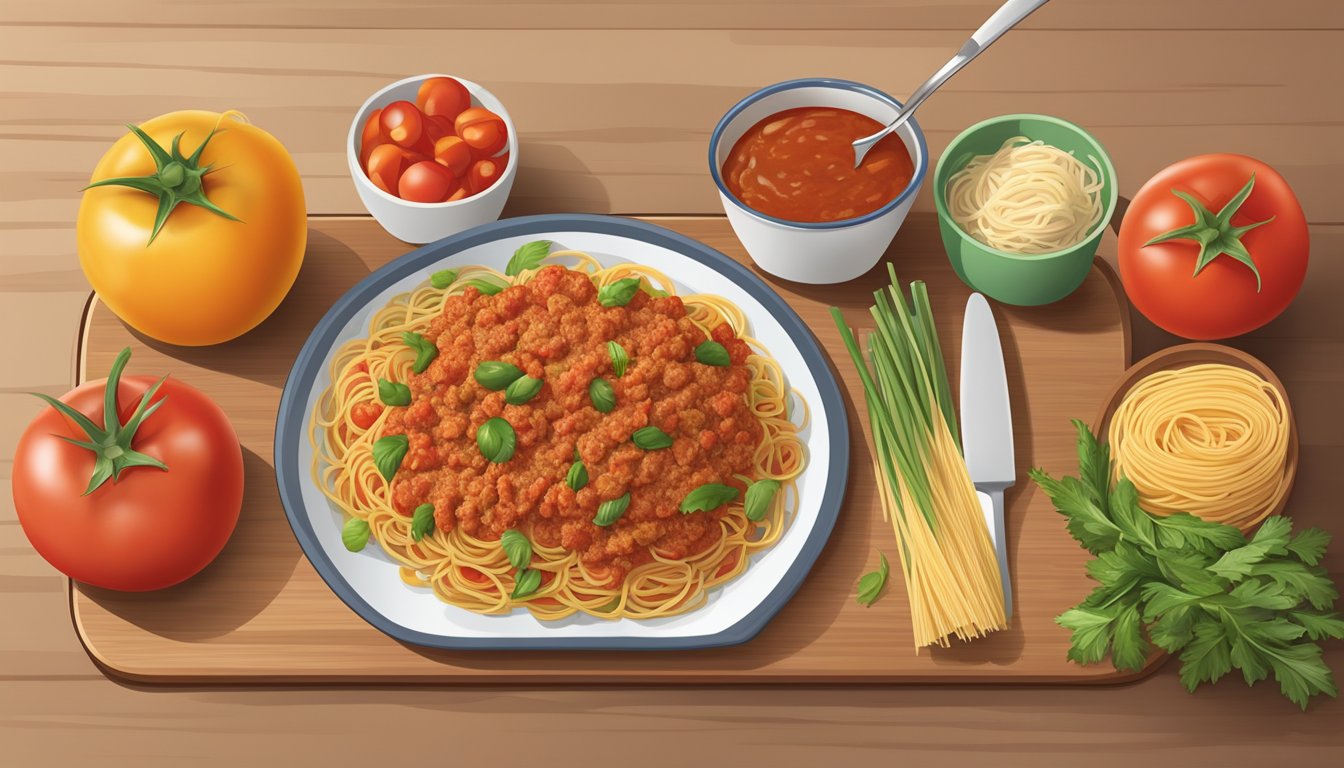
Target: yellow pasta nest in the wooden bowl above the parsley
[(1210, 440)]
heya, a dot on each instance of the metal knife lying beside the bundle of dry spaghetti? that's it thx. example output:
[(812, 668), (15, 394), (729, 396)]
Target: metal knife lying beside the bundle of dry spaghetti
[(987, 424)]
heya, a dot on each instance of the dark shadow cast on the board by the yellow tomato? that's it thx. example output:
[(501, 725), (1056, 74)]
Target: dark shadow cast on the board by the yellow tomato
[(267, 353)]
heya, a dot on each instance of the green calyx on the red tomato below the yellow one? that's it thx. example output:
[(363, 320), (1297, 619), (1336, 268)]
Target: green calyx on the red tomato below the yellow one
[(112, 443)]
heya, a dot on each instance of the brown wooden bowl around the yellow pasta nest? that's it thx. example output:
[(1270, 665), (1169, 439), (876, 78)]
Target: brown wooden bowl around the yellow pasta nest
[(1186, 356)]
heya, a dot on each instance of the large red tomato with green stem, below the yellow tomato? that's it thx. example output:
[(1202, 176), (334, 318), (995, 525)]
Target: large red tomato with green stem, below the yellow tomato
[(146, 528)]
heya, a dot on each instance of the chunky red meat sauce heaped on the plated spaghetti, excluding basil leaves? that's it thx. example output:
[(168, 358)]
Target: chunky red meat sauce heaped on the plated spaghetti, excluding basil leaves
[(556, 330)]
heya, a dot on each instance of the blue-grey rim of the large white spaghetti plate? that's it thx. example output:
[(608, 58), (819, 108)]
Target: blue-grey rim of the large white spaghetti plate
[(290, 428)]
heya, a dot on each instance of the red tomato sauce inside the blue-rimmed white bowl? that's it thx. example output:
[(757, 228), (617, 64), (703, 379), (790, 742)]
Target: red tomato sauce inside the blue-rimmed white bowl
[(798, 166)]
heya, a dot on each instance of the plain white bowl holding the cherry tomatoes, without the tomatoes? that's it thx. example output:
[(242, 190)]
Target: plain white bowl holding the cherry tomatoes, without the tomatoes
[(428, 223)]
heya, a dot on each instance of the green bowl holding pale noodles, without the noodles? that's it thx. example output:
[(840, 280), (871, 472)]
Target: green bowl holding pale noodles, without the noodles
[(1014, 278)]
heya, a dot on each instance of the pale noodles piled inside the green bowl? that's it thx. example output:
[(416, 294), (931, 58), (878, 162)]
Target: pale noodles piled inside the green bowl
[(1027, 198)]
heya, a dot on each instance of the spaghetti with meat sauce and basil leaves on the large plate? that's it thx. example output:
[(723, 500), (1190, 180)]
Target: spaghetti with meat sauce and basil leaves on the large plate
[(616, 420)]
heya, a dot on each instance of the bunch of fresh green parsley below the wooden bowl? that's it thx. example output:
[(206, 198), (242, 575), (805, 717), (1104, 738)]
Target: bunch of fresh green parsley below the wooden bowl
[(1194, 588)]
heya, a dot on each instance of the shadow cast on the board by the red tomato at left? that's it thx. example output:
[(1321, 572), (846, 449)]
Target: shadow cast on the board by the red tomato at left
[(247, 576)]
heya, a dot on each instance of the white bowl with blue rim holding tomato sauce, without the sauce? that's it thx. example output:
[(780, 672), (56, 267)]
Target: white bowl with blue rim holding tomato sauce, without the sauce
[(823, 252)]
